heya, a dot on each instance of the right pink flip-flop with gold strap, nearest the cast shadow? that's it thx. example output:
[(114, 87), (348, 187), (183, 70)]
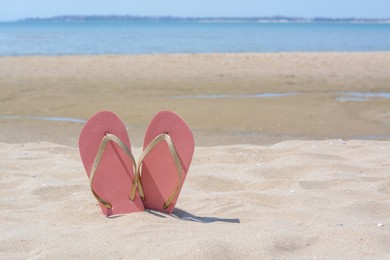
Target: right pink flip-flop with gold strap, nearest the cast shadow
[(163, 166)]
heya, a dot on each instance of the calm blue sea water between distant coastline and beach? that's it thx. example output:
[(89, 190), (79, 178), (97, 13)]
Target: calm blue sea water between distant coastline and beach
[(150, 37)]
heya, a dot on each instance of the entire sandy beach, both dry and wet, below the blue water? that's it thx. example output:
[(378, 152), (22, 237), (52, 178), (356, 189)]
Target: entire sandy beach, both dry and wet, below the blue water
[(292, 155)]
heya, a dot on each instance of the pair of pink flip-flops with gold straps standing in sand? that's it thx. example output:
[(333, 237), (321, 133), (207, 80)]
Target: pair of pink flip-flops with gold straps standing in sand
[(119, 183)]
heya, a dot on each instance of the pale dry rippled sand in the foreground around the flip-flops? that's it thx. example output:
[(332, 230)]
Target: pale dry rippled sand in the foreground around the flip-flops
[(296, 199)]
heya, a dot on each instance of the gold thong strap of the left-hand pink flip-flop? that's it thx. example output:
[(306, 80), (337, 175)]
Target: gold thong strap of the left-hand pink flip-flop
[(107, 138)]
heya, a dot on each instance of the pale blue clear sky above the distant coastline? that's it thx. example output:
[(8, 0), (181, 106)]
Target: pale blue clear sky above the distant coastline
[(18, 9)]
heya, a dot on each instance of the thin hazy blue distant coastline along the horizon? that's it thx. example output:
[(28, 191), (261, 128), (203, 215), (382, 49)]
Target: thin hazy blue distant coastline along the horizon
[(266, 19)]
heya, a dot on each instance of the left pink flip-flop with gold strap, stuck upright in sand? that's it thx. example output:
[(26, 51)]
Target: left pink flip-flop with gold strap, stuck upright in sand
[(106, 154)]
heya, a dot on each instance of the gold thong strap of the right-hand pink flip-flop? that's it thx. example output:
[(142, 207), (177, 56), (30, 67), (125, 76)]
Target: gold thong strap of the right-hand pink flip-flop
[(162, 137)]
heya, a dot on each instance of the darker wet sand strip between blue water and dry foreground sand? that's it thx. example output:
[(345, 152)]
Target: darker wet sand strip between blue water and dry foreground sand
[(212, 92)]
